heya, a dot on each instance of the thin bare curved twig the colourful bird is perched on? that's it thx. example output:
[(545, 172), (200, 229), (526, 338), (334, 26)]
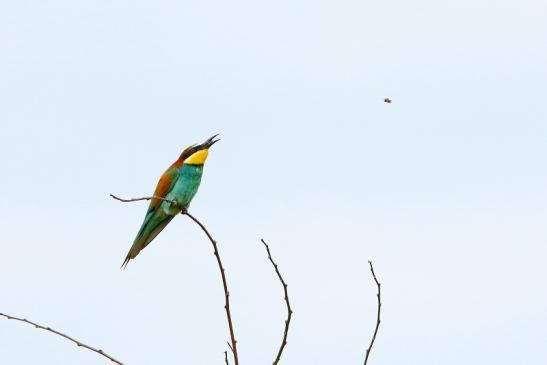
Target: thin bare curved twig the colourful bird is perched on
[(233, 344)]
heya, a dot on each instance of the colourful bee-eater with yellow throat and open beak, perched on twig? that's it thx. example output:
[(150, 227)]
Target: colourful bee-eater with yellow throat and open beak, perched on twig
[(179, 183)]
